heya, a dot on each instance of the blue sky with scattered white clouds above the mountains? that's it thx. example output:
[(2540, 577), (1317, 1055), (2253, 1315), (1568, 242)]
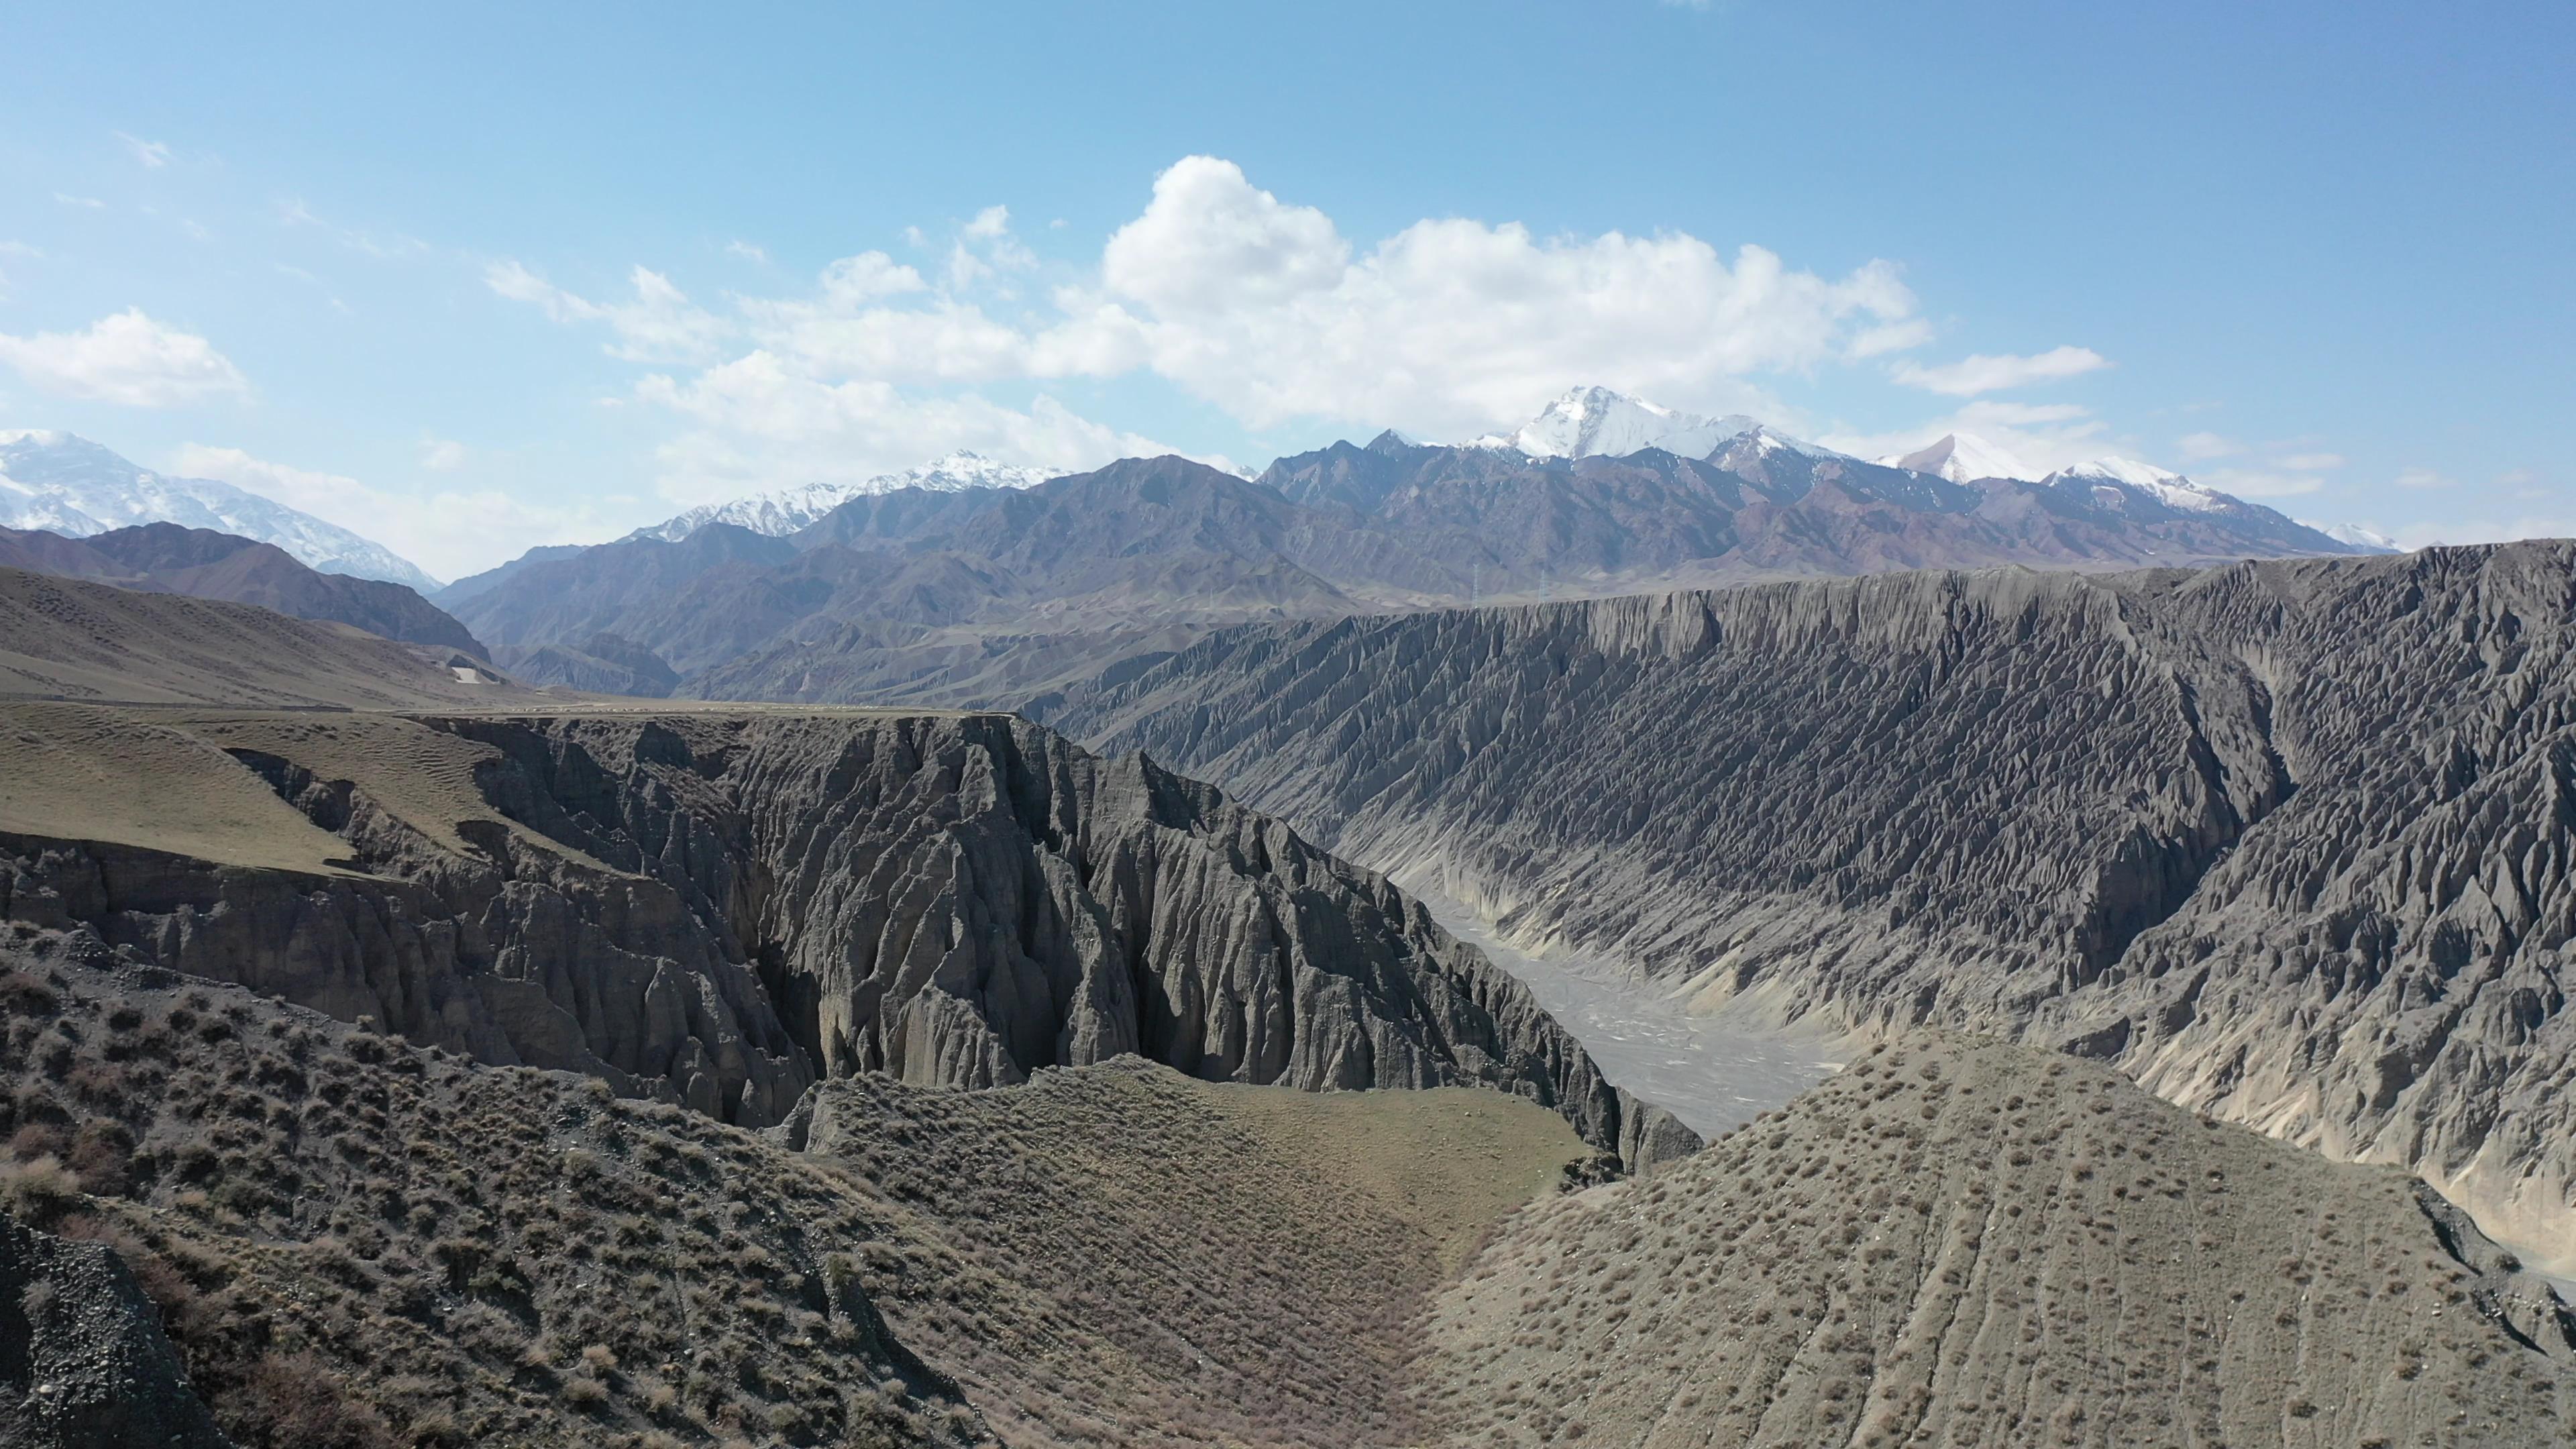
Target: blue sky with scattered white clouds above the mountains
[(478, 280)]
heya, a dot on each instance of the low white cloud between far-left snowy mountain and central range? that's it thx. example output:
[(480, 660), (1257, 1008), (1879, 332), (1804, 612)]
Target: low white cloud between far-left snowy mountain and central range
[(450, 532)]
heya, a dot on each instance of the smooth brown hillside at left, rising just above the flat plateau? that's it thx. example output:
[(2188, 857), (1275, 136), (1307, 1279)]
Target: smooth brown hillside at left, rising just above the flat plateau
[(66, 638)]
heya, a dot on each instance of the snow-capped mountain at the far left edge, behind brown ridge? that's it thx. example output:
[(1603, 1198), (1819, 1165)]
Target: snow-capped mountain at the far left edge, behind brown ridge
[(76, 489)]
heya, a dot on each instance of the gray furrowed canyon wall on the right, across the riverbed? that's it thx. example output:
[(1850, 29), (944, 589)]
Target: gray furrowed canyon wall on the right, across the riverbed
[(2289, 842)]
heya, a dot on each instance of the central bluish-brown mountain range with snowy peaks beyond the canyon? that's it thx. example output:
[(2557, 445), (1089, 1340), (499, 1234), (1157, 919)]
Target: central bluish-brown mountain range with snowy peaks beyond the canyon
[(954, 592)]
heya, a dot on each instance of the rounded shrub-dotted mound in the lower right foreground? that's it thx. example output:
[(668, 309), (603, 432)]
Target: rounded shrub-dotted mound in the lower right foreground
[(1975, 1244)]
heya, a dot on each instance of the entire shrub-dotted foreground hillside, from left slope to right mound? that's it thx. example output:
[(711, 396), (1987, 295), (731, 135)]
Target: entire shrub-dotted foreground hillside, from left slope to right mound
[(354, 1244)]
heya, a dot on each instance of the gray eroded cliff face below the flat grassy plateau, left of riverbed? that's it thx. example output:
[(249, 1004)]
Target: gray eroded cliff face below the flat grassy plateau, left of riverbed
[(725, 909)]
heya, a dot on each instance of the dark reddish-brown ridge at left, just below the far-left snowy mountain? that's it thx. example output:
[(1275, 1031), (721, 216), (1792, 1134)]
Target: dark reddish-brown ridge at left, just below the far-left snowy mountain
[(164, 558)]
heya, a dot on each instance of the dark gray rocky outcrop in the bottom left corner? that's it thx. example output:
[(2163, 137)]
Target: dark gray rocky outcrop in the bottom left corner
[(84, 1360)]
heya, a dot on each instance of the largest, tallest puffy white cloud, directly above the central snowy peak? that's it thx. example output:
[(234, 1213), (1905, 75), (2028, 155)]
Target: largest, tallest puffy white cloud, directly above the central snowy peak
[(1449, 326)]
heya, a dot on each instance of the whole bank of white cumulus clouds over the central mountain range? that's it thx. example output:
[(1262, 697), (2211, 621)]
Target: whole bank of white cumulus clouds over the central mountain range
[(1251, 303)]
